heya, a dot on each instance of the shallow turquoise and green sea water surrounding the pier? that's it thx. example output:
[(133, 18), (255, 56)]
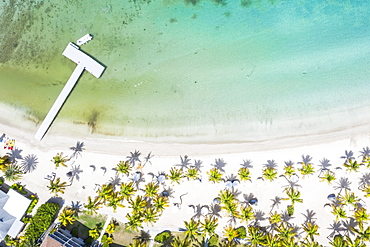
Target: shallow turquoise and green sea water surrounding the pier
[(187, 67)]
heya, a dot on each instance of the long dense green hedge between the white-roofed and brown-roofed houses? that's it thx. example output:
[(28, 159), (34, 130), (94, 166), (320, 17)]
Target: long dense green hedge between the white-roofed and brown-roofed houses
[(41, 221)]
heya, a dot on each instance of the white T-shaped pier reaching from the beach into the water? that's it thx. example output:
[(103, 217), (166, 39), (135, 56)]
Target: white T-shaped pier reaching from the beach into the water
[(84, 62)]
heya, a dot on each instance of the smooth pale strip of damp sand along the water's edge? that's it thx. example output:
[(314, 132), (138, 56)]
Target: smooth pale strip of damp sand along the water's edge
[(347, 124)]
